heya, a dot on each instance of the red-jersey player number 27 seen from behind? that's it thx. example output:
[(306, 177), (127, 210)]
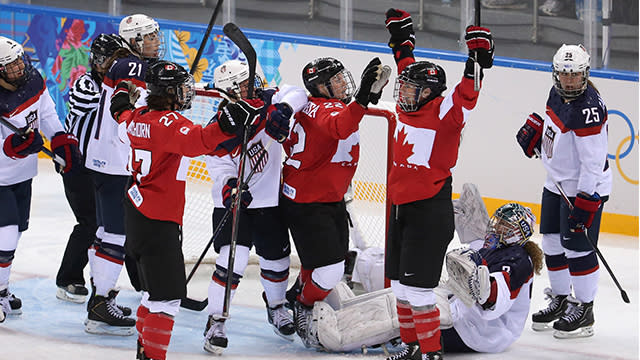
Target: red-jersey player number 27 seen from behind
[(154, 202)]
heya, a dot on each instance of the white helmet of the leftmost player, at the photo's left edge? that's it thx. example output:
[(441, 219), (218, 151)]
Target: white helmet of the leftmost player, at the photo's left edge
[(14, 64)]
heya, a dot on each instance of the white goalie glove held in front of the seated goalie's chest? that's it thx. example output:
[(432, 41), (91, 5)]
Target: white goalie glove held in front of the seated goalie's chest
[(468, 278)]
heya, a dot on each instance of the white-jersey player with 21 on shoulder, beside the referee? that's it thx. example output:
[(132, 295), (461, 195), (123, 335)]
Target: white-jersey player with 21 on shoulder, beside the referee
[(107, 155)]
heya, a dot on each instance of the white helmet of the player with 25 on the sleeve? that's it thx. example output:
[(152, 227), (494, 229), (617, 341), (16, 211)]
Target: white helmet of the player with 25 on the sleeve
[(574, 60)]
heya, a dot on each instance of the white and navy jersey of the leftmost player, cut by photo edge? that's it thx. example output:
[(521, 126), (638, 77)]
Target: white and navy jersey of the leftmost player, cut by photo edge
[(30, 104)]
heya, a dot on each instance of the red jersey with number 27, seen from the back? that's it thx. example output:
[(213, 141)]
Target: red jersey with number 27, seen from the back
[(159, 140)]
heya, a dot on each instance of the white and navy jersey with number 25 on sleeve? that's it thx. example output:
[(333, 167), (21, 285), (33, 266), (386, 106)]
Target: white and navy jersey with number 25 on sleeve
[(574, 144)]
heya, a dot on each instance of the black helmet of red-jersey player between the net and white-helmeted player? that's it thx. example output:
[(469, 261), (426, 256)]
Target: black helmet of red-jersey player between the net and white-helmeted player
[(327, 78)]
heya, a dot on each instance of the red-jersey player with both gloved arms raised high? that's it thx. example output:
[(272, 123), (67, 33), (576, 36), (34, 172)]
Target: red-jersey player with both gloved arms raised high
[(427, 137)]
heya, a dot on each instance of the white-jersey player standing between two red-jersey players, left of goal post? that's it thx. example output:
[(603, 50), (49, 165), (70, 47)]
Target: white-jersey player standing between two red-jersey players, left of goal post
[(262, 225)]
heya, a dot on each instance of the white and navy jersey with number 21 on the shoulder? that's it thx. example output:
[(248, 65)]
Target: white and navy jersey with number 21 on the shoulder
[(108, 148)]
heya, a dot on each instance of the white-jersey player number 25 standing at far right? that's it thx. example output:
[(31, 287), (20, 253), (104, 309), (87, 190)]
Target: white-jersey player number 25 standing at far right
[(572, 137)]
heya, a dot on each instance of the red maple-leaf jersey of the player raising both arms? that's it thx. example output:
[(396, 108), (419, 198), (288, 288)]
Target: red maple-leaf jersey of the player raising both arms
[(426, 144)]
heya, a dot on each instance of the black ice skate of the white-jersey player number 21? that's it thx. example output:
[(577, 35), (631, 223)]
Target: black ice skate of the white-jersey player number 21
[(105, 318)]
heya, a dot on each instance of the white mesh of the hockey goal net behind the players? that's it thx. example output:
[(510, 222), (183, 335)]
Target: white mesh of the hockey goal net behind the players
[(366, 202)]
